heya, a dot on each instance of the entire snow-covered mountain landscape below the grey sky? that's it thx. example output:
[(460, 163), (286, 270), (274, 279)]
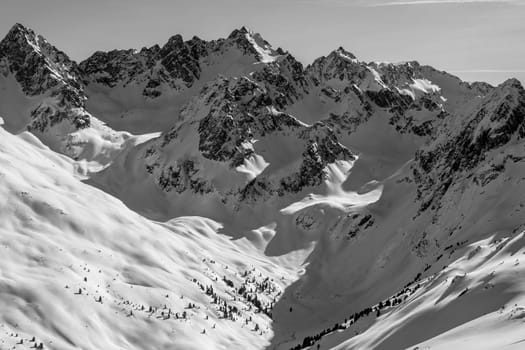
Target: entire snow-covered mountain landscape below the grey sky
[(219, 194)]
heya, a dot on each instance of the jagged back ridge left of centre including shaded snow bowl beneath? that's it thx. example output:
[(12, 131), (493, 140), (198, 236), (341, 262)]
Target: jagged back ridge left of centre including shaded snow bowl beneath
[(125, 85)]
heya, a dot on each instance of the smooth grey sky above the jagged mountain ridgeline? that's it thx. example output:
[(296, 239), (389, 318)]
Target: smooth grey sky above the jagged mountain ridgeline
[(474, 39)]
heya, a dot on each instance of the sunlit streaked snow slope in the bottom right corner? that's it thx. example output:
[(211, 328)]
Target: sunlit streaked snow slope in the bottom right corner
[(476, 302)]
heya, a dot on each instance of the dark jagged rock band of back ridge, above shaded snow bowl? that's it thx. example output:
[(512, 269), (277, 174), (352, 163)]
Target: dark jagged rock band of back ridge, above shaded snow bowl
[(177, 65)]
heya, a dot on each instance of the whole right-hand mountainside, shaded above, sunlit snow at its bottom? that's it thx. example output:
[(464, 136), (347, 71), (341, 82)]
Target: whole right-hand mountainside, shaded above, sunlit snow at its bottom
[(423, 229)]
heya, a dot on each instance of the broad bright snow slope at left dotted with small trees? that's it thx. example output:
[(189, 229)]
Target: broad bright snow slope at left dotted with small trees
[(80, 270)]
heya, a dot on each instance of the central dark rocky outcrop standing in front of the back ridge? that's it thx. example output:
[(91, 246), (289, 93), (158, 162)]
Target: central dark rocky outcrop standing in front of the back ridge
[(227, 119)]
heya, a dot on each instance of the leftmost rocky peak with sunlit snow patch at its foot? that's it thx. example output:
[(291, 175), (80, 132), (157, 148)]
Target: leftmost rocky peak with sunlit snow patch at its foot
[(50, 99)]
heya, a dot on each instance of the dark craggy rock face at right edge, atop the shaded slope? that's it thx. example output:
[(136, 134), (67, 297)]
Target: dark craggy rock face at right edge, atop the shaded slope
[(461, 146)]
